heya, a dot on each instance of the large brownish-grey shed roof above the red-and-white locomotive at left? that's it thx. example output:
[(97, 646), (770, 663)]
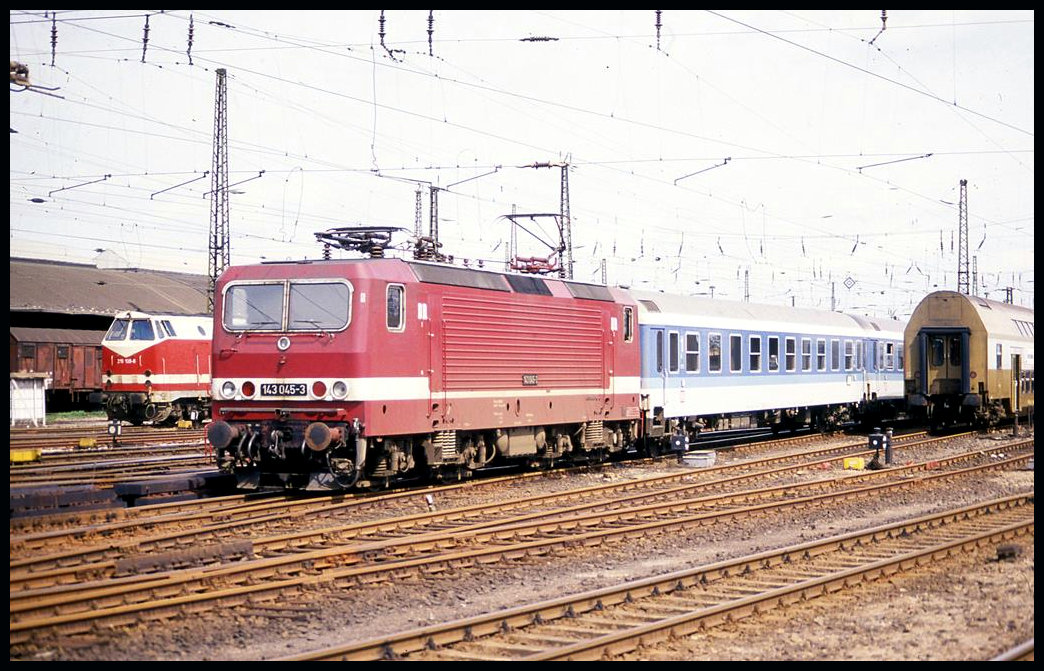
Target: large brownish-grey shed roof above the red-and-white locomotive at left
[(70, 289)]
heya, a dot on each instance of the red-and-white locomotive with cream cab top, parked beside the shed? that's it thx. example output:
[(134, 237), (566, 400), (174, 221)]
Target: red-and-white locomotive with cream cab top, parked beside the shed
[(156, 368)]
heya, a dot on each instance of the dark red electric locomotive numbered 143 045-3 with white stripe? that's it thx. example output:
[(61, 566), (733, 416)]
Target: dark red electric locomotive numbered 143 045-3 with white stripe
[(337, 374)]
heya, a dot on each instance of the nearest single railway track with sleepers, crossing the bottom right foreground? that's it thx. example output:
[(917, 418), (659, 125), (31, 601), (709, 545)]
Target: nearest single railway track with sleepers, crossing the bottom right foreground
[(609, 622)]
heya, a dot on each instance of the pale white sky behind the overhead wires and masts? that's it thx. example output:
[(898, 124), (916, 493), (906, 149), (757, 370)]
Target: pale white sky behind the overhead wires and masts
[(800, 158)]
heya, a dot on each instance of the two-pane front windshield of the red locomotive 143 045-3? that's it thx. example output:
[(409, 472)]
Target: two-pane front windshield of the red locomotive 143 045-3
[(293, 306)]
